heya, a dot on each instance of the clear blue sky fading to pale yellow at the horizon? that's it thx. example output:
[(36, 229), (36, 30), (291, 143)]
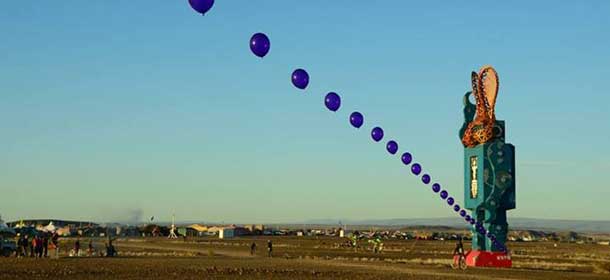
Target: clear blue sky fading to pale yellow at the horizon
[(120, 110)]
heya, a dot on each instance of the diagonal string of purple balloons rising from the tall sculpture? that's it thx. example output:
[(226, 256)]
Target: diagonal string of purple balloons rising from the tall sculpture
[(260, 46)]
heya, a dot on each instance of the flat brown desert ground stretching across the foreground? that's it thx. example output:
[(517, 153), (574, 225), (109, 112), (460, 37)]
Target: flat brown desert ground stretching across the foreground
[(304, 258)]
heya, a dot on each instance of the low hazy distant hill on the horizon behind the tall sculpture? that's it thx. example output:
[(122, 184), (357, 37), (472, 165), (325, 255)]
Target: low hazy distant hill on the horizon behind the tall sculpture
[(514, 223)]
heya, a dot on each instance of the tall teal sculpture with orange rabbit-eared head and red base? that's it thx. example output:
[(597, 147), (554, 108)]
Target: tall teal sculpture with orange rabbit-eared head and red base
[(489, 172)]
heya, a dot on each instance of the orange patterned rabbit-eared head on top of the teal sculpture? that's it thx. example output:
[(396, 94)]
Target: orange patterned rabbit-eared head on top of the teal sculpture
[(485, 90)]
